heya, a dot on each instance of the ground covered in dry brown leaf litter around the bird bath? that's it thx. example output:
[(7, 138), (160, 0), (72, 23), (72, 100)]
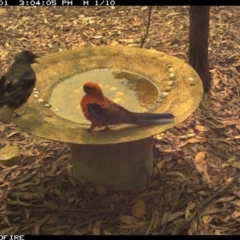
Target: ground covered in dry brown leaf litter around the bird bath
[(196, 184)]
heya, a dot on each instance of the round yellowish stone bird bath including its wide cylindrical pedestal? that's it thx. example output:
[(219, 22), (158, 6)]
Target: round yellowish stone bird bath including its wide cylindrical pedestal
[(121, 158)]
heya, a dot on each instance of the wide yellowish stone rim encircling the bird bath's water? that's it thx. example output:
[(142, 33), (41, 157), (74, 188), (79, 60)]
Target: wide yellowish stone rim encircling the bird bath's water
[(182, 99)]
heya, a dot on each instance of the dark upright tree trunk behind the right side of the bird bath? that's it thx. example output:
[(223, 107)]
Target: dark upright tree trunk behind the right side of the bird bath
[(198, 42)]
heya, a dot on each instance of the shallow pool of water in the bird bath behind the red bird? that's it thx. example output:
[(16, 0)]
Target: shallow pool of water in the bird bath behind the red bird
[(130, 90)]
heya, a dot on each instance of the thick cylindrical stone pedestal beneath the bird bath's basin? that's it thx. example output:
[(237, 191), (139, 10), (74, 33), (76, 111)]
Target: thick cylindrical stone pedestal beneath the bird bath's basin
[(119, 167)]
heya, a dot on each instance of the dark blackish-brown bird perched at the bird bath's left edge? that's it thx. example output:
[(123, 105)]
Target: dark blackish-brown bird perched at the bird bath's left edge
[(17, 85)]
